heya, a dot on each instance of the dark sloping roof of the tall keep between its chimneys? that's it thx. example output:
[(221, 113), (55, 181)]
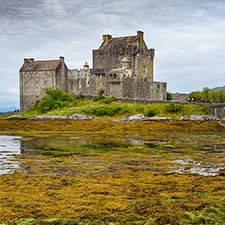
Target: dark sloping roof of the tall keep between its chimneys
[(121, 42)]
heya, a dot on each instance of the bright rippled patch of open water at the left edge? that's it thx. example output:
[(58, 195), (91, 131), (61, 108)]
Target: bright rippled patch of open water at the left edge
[(9, 148)]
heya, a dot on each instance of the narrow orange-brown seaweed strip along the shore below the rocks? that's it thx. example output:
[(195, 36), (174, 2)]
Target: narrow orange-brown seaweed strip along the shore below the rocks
[(98, 126)]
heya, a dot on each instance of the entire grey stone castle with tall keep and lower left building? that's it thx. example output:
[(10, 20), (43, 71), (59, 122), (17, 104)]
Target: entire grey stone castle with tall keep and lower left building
[(122, 67)]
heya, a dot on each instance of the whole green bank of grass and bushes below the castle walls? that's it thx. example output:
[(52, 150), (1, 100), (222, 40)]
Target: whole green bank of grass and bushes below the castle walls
[(59, 103)]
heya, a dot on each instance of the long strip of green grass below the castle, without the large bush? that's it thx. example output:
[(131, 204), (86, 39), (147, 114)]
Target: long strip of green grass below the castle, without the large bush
[(112, 108)]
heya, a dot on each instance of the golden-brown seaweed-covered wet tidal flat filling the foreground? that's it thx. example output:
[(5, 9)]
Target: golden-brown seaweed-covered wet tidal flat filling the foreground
[(136, 176)]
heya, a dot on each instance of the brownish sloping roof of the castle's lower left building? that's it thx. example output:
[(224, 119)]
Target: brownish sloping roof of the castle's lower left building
[(48, 65)]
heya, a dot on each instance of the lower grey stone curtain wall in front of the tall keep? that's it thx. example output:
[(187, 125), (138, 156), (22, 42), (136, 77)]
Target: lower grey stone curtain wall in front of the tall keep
[(130, 87)]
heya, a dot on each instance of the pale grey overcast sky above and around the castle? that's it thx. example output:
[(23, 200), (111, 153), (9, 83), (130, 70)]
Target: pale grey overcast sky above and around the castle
[(188, 37)]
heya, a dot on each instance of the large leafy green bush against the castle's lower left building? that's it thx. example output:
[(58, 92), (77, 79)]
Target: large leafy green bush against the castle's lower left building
[(54, 99)]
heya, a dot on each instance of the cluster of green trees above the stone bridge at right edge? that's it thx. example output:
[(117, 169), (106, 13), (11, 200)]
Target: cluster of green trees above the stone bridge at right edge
[(208, 96)]
